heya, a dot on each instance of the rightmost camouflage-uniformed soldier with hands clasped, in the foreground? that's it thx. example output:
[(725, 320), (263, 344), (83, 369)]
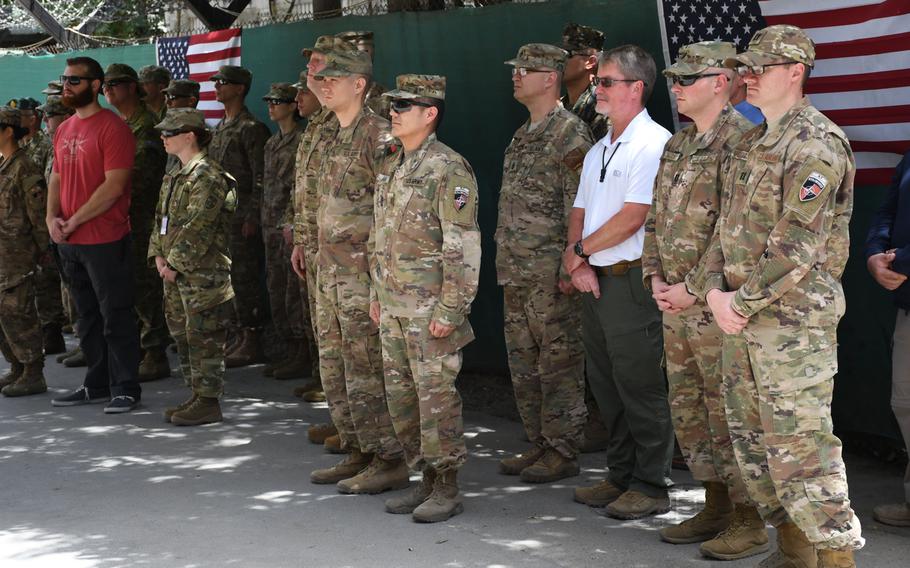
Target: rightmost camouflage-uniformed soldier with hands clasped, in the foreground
[(772, 277)]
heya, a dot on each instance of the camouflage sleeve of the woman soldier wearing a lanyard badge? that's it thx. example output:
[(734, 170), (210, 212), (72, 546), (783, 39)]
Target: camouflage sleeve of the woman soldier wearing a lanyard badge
[(203, 212)]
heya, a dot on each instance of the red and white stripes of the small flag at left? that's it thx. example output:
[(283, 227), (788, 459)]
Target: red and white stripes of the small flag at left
[(205, 54)]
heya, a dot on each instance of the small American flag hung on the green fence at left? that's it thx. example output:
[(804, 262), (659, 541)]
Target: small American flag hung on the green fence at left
[(198, 57)]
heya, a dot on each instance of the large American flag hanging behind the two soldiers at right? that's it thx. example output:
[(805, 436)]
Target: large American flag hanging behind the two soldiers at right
[(861, 78)]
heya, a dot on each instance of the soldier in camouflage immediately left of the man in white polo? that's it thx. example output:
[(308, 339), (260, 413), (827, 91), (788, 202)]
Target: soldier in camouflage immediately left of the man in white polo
[(542, 312)]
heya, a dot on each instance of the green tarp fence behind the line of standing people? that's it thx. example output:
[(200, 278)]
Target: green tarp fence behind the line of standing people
[(469, 46)]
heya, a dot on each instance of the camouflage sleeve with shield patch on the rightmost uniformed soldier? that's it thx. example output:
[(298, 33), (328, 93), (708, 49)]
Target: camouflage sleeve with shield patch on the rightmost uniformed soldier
[(799, 238)]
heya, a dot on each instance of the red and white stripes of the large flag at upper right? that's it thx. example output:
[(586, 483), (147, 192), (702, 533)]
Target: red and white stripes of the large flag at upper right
[(861, 78)]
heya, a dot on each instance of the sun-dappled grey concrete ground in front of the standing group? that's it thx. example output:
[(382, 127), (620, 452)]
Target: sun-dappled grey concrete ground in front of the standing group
[(82, 489)]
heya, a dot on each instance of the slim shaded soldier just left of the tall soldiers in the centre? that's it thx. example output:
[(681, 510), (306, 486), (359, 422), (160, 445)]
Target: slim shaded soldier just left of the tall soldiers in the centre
[(277, 181)]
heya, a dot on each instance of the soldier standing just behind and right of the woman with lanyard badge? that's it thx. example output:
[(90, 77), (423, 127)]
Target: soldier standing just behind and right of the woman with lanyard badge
[(238, 145)]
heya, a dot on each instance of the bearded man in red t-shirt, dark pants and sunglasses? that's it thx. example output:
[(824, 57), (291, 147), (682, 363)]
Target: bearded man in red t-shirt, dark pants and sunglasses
[(88, 219)]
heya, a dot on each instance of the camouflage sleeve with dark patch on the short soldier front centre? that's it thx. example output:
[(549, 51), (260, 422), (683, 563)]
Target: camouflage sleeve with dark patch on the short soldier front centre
[(457, 208)]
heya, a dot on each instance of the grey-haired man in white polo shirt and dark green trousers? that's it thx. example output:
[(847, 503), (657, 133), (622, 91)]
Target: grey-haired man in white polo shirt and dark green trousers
[(621, 325)]
